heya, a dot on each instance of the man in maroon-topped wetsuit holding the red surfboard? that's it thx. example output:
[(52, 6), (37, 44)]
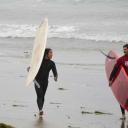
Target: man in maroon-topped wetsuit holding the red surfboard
[(124, 62)]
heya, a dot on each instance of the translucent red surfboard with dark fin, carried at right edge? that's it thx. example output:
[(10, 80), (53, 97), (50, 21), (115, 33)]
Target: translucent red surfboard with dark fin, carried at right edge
[(120, 82)]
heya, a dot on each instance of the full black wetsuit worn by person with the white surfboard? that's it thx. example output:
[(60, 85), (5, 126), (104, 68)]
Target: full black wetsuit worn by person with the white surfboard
[(42, 79)]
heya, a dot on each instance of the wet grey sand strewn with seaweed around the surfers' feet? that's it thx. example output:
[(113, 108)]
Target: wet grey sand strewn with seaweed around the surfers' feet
[(63, 108)]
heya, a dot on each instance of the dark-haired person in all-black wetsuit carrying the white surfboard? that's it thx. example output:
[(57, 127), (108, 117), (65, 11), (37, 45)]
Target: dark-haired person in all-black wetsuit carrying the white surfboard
[(41, 78)]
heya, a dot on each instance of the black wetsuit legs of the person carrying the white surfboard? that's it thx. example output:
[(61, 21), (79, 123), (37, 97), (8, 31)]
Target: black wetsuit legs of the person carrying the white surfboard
[(41, 93)]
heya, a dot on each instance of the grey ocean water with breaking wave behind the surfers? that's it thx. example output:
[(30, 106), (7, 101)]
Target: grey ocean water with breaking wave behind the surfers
[(77, 29)]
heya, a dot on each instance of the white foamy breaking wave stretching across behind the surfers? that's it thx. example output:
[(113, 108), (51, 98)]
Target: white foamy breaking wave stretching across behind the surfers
[(62, 32)]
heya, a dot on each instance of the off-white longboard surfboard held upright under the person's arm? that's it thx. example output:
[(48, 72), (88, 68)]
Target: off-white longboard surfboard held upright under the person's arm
[(38, 50)]
